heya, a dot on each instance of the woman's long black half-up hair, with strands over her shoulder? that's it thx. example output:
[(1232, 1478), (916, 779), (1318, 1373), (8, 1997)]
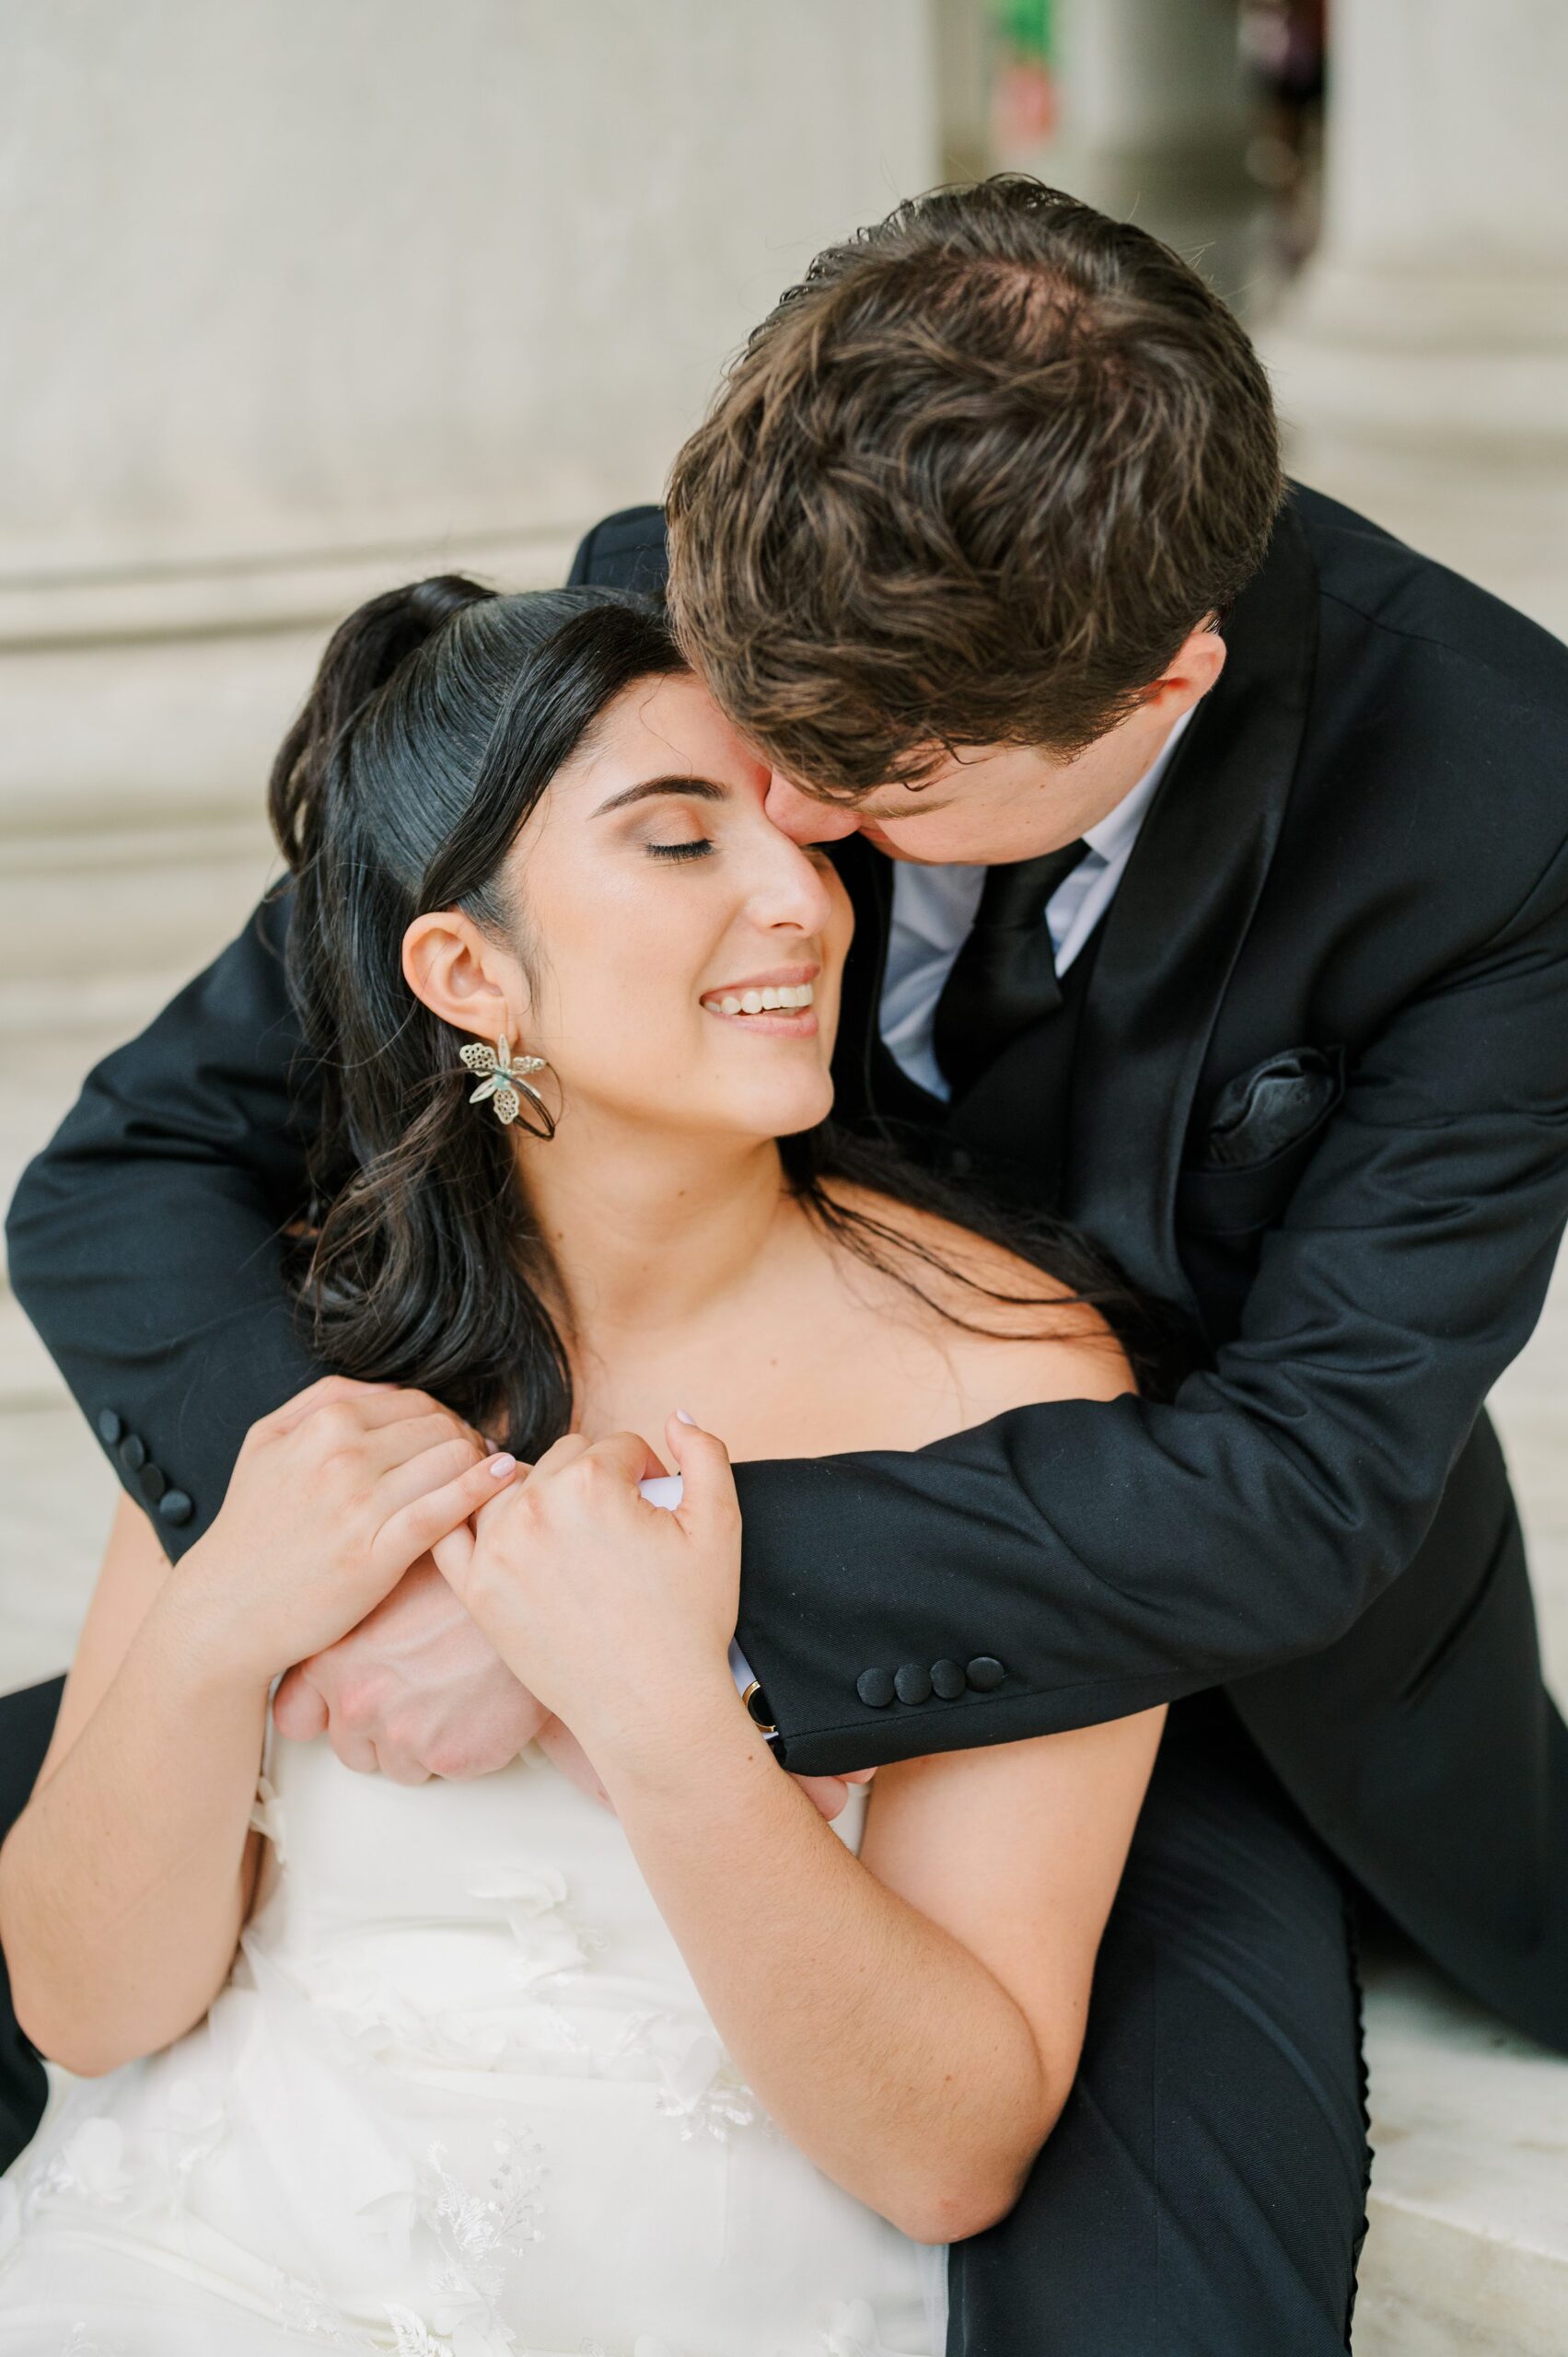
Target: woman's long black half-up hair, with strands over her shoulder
[(437, 720)]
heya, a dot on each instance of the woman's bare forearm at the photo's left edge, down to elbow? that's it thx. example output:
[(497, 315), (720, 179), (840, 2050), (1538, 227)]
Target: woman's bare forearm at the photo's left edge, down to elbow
[(124, 1884)]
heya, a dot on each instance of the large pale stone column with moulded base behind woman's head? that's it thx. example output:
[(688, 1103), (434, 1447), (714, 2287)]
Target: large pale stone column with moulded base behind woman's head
[(303, 301)]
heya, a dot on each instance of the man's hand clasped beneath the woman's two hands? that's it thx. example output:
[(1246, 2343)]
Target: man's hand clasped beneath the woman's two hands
[(416, 1691)]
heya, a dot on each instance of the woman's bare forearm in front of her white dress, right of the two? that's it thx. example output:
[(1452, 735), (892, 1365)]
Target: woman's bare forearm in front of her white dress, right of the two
[(874, 2038)]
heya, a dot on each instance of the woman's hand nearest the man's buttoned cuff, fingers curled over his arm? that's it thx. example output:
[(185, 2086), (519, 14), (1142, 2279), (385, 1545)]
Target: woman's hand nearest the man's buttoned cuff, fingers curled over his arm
[(612, 1611)]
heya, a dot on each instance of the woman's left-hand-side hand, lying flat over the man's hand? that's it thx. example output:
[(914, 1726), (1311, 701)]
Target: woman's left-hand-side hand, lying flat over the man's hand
[(334, 1498)]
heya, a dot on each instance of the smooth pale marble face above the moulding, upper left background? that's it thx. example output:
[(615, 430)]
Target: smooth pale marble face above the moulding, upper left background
[(338, 277)]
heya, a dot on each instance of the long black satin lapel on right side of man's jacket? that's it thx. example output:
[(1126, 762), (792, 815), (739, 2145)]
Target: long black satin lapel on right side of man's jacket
[(1180, 918)]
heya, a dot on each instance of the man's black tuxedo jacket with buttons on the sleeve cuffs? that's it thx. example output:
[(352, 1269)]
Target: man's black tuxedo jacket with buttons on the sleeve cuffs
[(1319, 1102)]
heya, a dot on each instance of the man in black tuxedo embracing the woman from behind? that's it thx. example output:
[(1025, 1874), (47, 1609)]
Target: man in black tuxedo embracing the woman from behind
[(1211, 859)]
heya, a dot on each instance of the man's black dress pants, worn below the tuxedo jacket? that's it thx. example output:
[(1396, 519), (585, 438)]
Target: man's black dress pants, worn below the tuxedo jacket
[(1204, 2193)]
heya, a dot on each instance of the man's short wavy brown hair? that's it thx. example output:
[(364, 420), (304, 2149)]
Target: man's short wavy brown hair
[(973, 482)]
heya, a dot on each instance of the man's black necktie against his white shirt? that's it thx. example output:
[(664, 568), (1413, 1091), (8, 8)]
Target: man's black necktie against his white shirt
[(1006, 975)]
